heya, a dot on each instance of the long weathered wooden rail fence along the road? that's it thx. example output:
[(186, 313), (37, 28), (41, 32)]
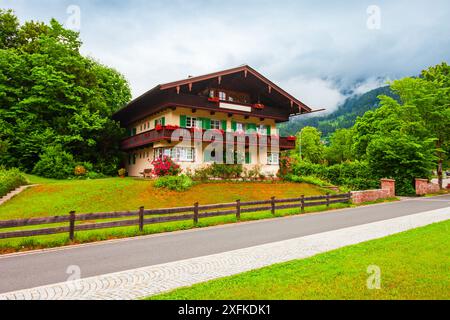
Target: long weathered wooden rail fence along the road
[(144, 217)]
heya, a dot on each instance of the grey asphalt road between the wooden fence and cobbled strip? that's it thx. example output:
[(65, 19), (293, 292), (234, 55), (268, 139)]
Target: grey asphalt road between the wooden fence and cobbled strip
[(37, 269)]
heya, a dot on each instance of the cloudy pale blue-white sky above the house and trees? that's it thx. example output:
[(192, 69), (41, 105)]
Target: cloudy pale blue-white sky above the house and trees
[(320, 52)]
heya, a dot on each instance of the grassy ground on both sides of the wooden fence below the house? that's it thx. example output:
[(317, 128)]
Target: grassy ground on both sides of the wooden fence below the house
[(54, 197)]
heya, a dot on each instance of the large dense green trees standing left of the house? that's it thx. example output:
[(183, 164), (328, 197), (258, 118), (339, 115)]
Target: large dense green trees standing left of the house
[(52, 99)]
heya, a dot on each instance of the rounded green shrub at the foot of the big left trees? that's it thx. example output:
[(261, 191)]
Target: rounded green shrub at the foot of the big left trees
[(55, 163)]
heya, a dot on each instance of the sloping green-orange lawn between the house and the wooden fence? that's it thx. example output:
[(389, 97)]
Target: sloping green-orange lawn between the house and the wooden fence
[(53, 197)]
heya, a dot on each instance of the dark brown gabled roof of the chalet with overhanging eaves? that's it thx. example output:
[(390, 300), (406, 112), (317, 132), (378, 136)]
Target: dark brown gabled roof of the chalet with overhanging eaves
[(216, 77)]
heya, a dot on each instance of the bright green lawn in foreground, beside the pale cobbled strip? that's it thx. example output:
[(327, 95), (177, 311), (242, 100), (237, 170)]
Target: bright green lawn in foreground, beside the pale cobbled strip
[(414, 265)]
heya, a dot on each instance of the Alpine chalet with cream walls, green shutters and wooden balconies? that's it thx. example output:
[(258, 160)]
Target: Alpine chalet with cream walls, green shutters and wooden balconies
[(239, 104)]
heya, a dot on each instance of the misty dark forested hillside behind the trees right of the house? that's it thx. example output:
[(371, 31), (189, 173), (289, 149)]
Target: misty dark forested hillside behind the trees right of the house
[(344, 117)]
